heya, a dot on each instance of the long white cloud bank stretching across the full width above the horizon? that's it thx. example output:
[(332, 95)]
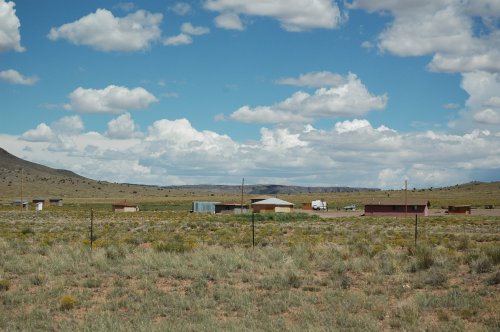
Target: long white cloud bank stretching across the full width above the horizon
[(352, 153)]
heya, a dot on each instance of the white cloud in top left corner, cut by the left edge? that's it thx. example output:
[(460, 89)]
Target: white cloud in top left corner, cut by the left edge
[(10, 38)]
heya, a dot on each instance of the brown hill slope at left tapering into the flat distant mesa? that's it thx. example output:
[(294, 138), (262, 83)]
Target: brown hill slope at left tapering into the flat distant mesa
[(42, 181)]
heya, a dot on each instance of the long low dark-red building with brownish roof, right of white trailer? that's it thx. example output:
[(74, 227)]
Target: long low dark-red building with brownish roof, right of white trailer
[(394, 207)]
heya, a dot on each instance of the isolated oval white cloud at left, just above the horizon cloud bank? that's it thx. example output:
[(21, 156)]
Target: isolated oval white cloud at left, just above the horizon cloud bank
[(112, 99)]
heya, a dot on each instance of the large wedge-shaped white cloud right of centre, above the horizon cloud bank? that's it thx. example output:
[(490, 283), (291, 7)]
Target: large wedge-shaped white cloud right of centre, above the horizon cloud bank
[(348, 97)]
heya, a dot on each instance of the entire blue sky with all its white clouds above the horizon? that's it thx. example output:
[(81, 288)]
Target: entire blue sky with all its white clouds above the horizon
[(356, 93)]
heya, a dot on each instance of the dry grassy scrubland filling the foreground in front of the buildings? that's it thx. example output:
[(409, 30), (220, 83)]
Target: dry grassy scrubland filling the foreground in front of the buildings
[(172, 270)]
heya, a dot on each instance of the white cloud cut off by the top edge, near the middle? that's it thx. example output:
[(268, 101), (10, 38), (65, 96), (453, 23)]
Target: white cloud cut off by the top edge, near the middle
[(293, 15)]
